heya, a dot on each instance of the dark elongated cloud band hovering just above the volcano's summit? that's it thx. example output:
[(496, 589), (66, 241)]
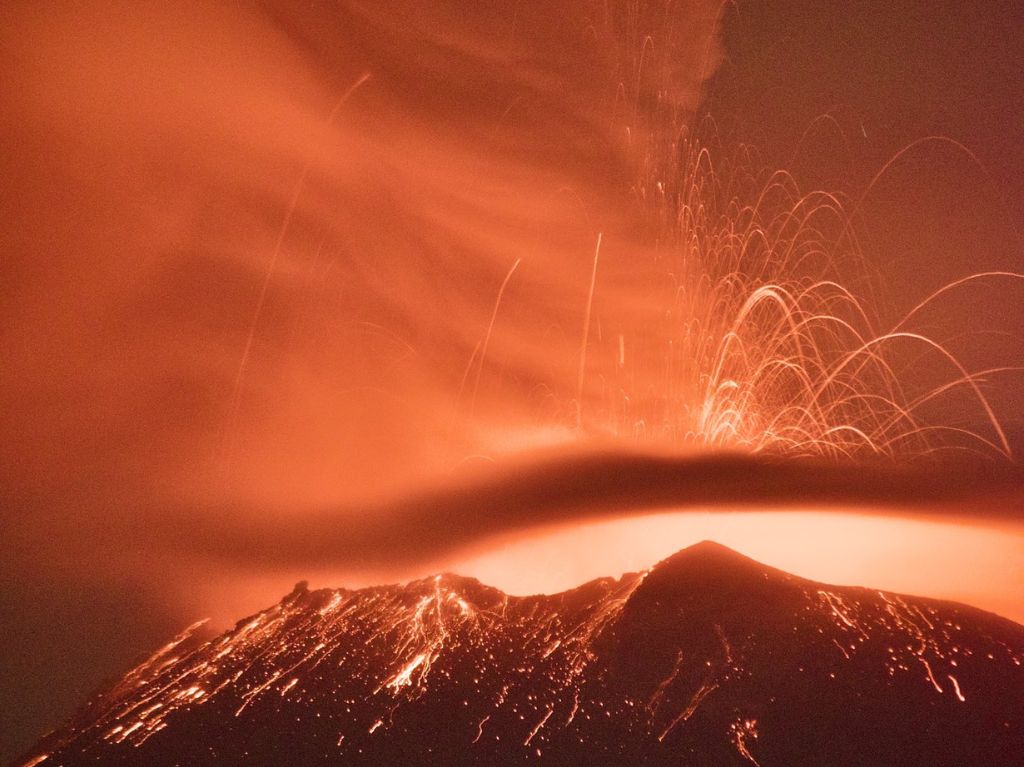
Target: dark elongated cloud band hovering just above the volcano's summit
[(438, 523)]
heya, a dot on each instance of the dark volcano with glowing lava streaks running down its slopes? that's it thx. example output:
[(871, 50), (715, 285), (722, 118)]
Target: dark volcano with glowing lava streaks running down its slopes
[(708, 659)]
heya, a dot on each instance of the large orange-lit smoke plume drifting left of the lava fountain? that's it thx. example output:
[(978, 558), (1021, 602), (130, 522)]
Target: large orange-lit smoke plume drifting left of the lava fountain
[(252, 250)]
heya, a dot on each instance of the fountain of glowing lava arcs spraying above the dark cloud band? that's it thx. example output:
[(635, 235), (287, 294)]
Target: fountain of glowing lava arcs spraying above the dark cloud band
[(728, 322)]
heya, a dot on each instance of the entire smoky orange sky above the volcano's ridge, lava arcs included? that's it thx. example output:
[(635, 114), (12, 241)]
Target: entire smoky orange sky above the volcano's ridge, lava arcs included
[(281, 282)]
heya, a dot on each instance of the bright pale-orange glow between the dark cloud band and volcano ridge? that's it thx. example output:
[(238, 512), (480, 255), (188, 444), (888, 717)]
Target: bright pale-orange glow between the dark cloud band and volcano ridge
[(982, 566)]
